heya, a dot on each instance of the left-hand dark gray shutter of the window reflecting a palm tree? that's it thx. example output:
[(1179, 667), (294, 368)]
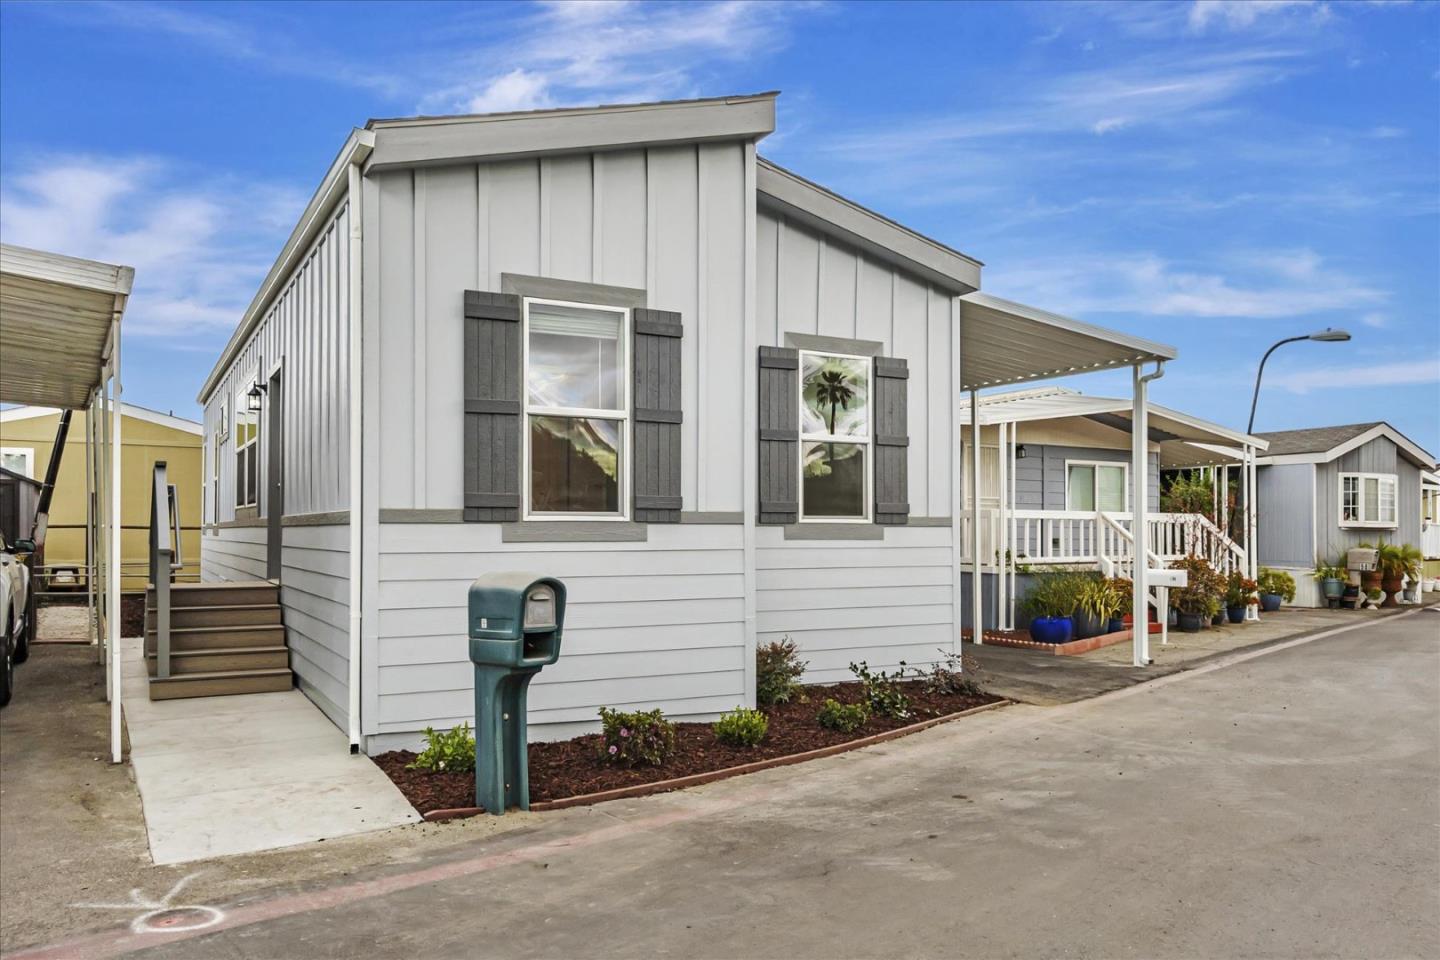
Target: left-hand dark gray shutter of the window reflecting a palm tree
[(780, 435)]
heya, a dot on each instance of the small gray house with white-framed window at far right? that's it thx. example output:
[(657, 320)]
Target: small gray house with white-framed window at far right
[(1330, 489)]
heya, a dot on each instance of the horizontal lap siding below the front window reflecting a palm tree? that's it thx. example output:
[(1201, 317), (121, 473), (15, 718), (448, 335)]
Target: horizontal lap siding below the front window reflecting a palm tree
[(882, 602)]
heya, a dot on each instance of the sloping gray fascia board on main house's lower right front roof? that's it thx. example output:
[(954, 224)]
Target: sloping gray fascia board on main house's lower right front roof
[(814, 207)]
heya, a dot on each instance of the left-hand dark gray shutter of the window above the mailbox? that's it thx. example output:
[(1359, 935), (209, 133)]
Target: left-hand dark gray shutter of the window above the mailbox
[(492, 408)]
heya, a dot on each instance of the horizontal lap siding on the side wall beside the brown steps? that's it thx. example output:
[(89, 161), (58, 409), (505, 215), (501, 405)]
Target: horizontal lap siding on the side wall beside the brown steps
[(315, 595)]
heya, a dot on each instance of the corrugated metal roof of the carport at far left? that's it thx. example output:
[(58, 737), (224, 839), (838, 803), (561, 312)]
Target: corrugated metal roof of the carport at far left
[(55, 325)]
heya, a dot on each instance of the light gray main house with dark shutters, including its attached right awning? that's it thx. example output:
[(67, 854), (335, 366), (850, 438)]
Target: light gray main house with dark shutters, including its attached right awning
[(618, 348)]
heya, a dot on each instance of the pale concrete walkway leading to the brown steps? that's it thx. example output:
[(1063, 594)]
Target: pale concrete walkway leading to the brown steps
[(238, 775)]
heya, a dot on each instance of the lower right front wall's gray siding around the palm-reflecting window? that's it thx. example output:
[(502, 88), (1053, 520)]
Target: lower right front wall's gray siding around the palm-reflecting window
[(876, 601)]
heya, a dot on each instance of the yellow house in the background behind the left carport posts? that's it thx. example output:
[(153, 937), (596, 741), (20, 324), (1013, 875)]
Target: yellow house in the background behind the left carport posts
[(27, 441)]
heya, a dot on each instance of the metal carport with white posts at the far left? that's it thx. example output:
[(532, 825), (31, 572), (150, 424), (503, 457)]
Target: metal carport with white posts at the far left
[(60, 348)]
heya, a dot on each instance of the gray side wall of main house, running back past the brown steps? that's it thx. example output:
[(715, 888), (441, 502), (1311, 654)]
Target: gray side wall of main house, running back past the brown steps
[(306, 330)]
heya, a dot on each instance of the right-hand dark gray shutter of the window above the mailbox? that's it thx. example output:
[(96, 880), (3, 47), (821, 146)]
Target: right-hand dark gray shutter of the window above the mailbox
[(657, 417)]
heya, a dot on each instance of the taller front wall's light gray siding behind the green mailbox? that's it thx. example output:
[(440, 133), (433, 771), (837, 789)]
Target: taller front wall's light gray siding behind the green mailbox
[(654, 622)]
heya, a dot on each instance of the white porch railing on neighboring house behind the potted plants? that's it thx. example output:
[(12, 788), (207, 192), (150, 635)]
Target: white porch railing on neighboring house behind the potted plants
[(1078, 538)]
